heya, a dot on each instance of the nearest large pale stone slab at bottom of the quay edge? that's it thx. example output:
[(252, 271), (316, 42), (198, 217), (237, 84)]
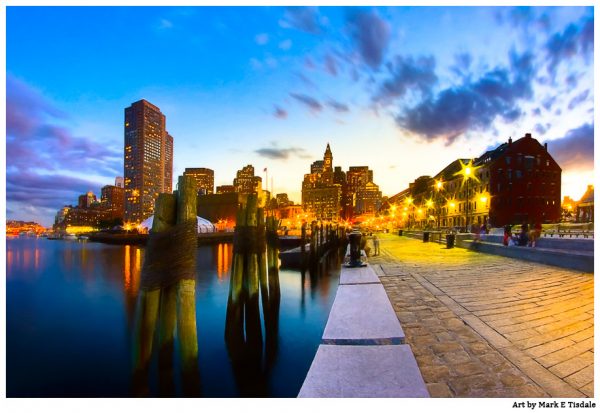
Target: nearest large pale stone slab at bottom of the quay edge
[(364, 371)]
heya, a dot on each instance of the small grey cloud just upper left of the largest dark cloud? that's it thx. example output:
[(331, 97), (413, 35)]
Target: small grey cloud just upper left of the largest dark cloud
[(407, 74)]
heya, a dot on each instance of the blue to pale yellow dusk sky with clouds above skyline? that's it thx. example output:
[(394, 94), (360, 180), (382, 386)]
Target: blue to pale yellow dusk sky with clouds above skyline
[(404, 90)]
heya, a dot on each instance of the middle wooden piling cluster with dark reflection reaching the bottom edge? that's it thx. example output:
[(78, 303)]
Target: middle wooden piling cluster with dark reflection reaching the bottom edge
[(254, 283)]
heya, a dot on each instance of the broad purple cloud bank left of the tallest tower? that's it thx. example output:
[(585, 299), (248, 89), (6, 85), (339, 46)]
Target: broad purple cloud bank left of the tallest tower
[(42, 154)]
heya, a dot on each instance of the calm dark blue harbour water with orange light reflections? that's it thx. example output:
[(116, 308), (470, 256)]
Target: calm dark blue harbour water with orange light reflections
[(73, 311)]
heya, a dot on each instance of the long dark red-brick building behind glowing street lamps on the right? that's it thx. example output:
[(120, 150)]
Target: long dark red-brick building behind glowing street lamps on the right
[(516, 182)]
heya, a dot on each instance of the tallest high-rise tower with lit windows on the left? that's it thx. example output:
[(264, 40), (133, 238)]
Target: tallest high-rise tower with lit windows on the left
[(148, 159)]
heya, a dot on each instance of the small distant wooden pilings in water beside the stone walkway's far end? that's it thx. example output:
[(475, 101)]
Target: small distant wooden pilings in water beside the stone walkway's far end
[(322, 239)]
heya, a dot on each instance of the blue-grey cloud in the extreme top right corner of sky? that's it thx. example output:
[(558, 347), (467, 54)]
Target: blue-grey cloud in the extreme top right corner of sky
[(577, 39)]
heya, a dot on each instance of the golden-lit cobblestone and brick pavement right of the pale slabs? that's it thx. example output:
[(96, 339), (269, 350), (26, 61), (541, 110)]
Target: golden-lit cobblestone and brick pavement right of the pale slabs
[(487, 326)]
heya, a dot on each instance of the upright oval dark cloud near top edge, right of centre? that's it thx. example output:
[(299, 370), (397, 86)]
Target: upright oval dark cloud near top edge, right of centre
[(371, 34)]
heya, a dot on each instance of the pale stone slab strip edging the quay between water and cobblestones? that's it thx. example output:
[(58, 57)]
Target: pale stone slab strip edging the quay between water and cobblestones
[(363, 352)]
